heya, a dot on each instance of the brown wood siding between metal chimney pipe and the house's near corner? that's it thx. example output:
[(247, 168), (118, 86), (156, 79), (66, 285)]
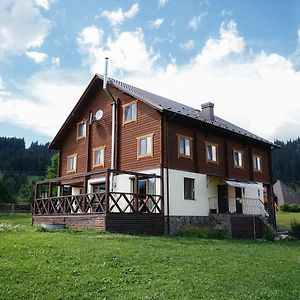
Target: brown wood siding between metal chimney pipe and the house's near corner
[(148, 122)]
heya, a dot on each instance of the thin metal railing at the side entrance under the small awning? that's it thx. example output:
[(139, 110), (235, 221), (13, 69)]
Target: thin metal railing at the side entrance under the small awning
[(246, 206)]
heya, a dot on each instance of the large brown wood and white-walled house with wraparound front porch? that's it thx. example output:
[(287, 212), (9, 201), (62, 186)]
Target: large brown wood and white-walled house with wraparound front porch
[(133, 161)]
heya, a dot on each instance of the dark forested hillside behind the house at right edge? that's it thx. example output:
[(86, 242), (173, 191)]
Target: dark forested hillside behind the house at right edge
[(286, 162)]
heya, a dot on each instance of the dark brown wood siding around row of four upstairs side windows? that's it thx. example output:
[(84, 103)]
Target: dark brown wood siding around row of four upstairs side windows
[(226, 144)]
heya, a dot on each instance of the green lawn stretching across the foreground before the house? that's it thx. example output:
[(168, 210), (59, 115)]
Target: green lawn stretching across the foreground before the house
[(87, 264)]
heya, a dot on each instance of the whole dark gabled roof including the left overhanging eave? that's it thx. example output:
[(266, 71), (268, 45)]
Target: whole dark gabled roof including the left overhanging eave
[(162, 104)]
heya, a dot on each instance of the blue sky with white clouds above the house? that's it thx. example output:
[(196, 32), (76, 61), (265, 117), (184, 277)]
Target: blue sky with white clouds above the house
[(244, 56)]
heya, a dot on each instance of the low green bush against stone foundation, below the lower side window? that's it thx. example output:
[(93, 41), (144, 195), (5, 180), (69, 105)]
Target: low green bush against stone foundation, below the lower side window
[(207, 232)]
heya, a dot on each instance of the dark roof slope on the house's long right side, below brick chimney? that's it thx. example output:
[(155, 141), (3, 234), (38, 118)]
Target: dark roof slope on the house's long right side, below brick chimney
[(165, 104)]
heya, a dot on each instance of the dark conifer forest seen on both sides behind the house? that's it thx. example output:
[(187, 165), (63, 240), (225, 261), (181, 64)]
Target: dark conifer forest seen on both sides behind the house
[(21, 167)]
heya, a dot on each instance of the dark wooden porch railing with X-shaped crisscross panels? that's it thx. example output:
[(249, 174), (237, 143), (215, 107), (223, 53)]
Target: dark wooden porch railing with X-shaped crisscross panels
[(106, 202)]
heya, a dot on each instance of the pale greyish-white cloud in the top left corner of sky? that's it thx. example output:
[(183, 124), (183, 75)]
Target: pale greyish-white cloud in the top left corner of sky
[(21, 27)]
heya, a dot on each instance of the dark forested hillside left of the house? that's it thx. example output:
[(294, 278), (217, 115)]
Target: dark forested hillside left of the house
[(20, 167)]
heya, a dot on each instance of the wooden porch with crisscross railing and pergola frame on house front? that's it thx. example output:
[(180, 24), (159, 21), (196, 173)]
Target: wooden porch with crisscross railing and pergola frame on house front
[(105, 207)]
